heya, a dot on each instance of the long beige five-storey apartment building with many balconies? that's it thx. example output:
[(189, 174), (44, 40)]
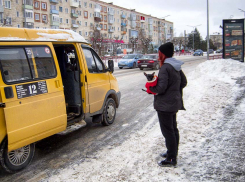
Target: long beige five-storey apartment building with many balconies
[(85, 16)]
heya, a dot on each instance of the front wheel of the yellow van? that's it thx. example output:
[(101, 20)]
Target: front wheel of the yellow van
[(109, 112)]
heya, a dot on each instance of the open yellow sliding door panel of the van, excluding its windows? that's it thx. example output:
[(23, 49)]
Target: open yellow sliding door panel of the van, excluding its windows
[(36, 117)]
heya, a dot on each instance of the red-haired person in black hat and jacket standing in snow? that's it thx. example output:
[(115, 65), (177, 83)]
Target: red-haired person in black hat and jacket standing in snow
[(168, 100)]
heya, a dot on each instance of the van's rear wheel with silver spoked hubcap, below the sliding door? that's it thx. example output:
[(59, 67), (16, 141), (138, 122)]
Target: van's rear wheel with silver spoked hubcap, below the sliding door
[(16, 160)]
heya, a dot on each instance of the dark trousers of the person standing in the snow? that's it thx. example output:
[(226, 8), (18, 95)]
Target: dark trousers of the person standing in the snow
[(170, 132)]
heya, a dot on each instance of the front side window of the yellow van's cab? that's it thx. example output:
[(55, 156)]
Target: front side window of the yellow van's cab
[(94, 64)]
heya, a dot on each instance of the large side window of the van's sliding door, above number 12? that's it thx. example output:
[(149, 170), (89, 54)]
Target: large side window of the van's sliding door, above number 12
[(26, 63)]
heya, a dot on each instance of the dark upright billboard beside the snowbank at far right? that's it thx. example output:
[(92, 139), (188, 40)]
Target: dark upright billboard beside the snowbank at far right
[(233, 39)]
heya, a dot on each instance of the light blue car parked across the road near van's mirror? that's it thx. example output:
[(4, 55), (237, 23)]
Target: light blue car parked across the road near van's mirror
[(129, 61)]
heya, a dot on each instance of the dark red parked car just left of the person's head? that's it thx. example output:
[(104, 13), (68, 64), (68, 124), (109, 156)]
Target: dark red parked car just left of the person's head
[(149, 61)]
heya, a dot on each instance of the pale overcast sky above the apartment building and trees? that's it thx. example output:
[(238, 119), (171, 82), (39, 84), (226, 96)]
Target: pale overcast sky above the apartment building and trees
[(188, 12)]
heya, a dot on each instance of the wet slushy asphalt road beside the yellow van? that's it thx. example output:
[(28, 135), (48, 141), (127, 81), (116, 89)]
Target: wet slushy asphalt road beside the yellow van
[(59, 151)]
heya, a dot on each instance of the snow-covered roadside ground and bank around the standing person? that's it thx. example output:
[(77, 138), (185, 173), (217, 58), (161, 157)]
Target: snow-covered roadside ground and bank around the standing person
[(212, 135)]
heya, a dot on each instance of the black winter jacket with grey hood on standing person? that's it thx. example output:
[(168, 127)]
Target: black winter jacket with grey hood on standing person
[(171, 81)]
